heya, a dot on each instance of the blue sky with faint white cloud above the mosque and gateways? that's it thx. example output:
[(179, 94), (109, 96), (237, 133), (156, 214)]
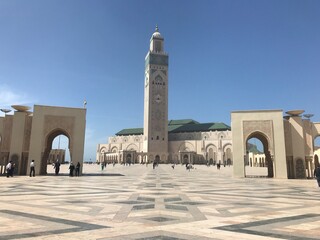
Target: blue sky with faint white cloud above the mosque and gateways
[(223, 56)]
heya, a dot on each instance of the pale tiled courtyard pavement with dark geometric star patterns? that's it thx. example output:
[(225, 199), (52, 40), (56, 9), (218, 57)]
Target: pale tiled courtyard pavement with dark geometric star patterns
[(138, 203)]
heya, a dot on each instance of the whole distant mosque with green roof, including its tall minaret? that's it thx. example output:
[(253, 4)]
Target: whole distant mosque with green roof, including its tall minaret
[(160, 140)]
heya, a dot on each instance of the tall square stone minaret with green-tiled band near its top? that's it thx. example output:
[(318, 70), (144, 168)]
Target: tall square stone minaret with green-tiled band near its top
[(156, 100)]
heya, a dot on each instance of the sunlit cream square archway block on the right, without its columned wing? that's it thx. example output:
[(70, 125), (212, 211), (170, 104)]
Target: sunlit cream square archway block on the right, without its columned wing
[(267, 125)]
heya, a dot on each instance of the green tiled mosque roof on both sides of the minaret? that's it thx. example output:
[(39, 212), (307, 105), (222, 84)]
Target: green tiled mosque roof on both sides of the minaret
[(178, 126)]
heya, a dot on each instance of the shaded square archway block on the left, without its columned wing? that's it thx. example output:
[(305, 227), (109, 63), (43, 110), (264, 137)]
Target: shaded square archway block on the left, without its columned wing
[(49, 122)]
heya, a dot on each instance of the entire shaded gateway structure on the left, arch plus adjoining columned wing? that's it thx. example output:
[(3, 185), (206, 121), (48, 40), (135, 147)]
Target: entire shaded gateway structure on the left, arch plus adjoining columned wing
[(26, 136)]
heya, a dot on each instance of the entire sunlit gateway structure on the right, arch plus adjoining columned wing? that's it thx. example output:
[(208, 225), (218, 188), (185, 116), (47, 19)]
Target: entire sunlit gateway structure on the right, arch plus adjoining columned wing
[(288, 141)]
